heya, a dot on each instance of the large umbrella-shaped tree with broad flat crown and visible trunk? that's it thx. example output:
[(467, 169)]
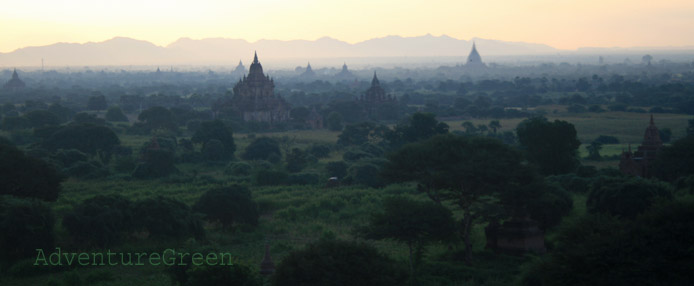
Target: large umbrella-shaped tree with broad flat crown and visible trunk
[(465, 171)]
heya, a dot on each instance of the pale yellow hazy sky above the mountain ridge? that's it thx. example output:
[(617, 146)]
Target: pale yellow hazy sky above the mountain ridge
[(559, 23)]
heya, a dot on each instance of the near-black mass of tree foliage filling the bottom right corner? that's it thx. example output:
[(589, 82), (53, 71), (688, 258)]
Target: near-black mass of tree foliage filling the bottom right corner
[(604, 250)]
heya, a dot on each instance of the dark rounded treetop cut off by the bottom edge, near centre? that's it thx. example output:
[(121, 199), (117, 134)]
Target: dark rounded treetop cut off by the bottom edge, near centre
[(337, 263)]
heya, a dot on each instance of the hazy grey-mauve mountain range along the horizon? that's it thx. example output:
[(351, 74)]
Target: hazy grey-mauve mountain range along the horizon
[(222, 51)]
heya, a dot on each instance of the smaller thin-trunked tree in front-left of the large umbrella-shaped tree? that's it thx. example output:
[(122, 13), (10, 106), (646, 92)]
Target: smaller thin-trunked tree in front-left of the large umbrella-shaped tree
[(411, 222)]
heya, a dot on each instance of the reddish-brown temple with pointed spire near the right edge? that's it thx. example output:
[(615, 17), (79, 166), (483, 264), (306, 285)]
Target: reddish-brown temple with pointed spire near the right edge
[(639, 163)]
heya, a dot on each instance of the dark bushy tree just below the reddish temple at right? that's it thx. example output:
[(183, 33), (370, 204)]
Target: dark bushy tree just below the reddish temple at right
[(625, 197)]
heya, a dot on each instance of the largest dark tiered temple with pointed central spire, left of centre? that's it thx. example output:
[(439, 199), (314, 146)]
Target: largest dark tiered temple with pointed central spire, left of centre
[(255, 99)]
